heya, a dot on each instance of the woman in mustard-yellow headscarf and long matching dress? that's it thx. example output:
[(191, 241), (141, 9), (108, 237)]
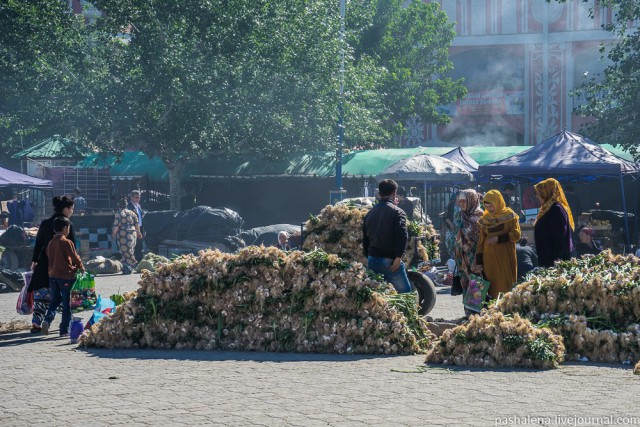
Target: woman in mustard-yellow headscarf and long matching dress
[(496, 253)]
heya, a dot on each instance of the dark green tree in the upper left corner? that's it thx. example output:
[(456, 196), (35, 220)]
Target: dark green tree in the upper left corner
[(43, 48)]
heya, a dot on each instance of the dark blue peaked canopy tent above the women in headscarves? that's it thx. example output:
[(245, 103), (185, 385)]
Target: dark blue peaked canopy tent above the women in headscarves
[(565, 155)]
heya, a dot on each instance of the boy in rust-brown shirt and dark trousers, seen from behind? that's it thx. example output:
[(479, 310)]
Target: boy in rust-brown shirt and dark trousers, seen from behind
[(63, 264)]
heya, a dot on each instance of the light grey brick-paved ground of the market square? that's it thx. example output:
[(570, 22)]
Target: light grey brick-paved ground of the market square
[(47, 380)]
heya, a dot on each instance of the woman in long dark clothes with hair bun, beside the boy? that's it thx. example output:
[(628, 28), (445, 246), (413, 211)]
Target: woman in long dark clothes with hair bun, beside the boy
[(62, 206)]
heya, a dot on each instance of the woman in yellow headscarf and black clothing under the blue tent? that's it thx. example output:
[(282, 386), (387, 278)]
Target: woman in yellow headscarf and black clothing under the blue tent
[(554, 224)]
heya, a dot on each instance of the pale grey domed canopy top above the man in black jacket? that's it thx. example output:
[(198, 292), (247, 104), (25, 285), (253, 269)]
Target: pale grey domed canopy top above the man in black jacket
[(425, 167)]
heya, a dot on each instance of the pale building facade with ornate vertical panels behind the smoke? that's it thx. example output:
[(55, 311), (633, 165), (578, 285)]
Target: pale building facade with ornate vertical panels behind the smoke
[(520, 60)]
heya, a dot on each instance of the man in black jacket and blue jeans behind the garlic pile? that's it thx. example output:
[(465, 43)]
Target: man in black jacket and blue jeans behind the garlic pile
[(385, 236)]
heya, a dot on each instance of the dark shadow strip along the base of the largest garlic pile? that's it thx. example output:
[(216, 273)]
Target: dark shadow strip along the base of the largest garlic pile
[(223, 356)]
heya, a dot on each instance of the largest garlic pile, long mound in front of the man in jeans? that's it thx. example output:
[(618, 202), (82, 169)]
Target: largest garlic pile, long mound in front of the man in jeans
[(262, 299)]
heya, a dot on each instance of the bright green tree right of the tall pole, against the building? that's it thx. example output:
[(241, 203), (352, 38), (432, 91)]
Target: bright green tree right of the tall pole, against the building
[(411, 47)]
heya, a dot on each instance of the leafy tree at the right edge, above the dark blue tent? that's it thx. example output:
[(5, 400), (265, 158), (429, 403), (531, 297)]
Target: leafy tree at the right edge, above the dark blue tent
[(613, 99)]
